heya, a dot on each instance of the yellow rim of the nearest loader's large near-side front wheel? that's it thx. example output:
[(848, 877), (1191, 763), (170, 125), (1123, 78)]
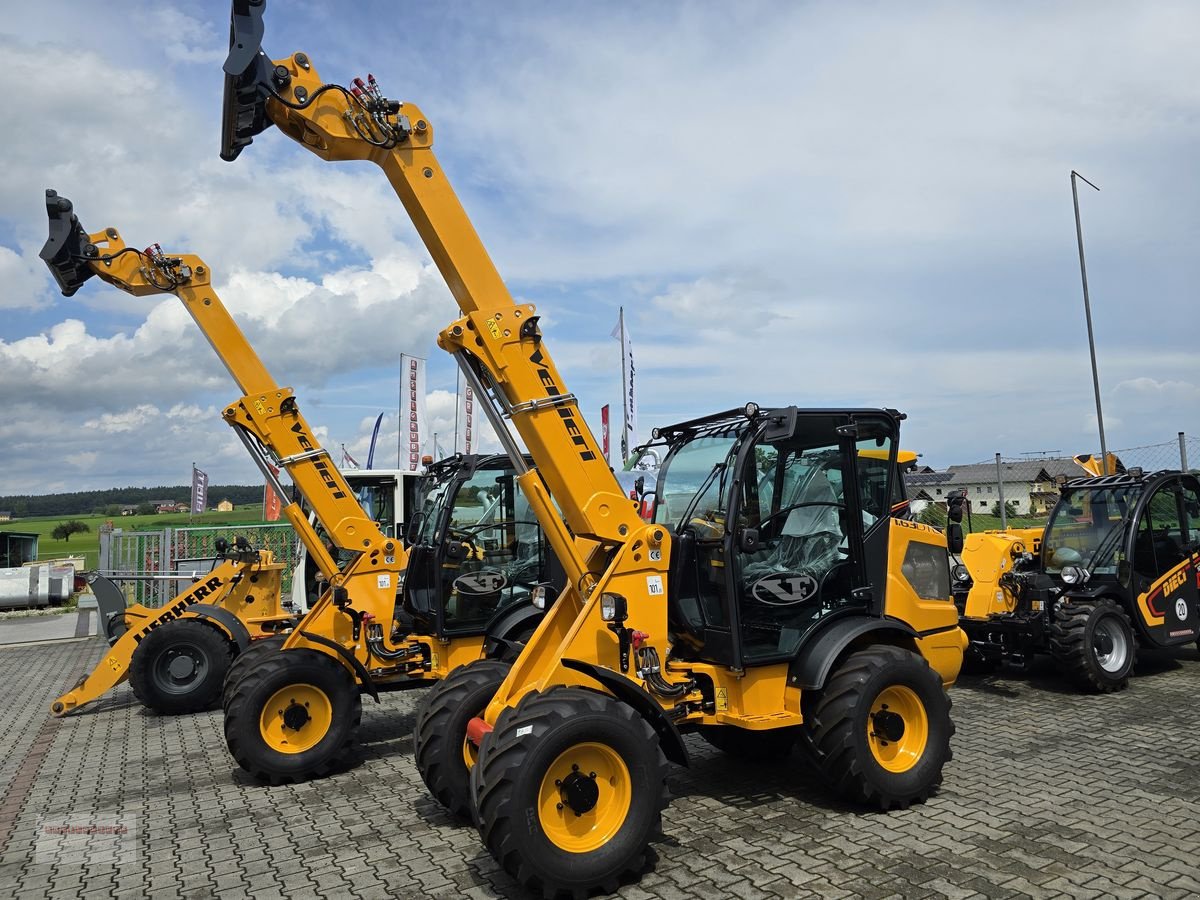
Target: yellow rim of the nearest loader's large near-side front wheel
[(585, 797)]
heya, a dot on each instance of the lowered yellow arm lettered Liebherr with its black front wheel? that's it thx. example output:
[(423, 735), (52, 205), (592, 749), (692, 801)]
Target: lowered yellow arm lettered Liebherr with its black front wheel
[(176, 657)]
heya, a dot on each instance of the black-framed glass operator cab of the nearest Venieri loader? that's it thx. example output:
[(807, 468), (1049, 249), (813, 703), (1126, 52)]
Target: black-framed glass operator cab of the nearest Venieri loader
[(778, 524)]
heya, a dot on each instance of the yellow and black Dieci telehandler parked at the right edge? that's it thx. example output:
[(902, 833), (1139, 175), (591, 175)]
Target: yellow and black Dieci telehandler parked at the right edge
[(1118, 566)]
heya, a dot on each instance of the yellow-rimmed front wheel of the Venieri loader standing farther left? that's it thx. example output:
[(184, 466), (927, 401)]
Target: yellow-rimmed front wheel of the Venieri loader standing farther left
[(297, 681)]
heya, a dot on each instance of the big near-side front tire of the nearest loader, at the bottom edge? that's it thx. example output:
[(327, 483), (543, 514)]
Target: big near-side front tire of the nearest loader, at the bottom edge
[(536, 741)]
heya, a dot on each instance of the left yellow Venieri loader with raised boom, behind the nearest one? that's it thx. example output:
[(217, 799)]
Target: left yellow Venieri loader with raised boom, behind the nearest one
[(293, 703)]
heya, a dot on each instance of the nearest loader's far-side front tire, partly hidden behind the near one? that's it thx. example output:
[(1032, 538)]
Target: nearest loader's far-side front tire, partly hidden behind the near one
[(441, 733)]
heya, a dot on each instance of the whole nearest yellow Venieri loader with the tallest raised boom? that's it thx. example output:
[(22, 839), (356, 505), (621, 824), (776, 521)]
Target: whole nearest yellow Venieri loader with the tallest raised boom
[(769, 596)]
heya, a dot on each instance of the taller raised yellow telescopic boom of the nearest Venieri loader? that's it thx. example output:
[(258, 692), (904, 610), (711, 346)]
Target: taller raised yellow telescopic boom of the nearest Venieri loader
[(605, 548)]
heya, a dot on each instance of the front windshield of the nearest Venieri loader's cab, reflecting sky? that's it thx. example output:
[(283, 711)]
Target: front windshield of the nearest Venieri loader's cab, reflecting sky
[(694, 481)]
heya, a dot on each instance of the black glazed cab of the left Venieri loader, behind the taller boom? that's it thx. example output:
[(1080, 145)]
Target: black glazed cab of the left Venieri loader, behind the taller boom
[(477, 549)]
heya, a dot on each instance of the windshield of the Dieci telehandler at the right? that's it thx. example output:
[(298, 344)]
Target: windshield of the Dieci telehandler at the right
[(1087, 529)]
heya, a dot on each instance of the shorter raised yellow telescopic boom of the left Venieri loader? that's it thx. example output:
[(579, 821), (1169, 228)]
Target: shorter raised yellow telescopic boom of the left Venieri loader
[(268, 422)]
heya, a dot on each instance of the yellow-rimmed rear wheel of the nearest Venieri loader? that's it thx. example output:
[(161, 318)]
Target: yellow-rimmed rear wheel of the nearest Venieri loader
[(851, 741)]
